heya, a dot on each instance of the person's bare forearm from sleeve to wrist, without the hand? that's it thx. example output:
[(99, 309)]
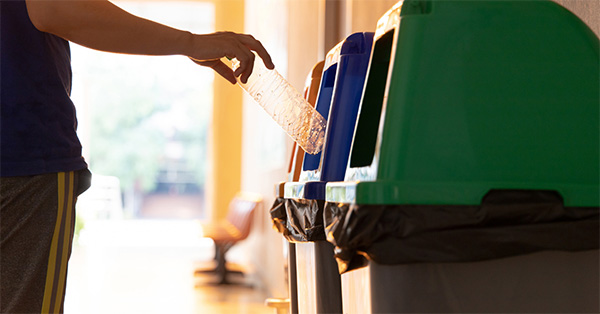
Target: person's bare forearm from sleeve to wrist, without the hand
[(101, 25)]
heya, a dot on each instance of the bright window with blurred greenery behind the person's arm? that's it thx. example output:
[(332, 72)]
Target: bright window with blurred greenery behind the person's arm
[(144, 119)]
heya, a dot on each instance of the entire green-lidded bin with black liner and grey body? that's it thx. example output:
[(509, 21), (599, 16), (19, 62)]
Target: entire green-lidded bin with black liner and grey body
[(478, 117)]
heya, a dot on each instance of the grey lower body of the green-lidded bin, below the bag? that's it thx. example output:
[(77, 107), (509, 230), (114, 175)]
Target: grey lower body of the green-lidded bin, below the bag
[(543, 282)]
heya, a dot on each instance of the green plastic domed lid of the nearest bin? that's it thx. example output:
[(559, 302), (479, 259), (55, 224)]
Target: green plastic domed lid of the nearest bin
[(467, 96)]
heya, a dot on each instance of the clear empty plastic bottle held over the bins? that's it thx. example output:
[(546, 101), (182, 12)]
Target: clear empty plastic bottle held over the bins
[(305, 125)]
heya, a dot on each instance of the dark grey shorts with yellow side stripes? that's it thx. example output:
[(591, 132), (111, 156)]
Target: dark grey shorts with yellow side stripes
[(37, 219)]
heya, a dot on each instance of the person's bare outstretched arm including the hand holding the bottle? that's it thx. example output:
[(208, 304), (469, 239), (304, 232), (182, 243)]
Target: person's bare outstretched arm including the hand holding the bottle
[(101, 25)]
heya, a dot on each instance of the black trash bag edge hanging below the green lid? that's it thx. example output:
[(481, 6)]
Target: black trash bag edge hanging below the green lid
[(507, 223)]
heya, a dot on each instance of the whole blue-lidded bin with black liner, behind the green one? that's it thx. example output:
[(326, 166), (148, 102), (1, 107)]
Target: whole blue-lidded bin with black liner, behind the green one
[(342, 81)]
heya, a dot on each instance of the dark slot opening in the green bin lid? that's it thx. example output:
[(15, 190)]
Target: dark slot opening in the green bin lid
[(365, 138)]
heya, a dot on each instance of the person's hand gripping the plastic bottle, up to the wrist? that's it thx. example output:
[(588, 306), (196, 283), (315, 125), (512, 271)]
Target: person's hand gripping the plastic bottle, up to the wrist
[(207, 50)]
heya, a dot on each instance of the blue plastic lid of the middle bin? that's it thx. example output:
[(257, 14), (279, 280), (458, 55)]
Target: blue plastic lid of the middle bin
[(339, 100)]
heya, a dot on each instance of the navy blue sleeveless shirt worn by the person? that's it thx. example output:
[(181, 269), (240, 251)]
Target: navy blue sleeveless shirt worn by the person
[(37, 117)]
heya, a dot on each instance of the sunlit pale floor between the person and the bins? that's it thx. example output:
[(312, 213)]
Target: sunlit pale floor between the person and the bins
[(146, 267)]
